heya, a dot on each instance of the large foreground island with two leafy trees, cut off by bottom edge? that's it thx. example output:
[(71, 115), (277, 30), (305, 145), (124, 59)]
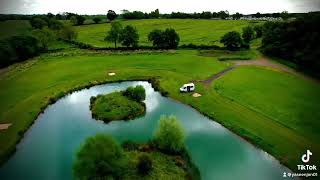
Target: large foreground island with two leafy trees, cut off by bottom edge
[(163, 157)]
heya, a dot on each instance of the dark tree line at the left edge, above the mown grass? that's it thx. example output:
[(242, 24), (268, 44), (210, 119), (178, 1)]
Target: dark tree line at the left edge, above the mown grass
[(45, 32)]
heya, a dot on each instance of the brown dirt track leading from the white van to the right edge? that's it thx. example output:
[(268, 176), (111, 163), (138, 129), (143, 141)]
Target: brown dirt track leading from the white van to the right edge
[(263, 61)]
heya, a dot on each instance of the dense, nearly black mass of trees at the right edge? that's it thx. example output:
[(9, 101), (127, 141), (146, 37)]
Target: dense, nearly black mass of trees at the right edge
[(296, 41)]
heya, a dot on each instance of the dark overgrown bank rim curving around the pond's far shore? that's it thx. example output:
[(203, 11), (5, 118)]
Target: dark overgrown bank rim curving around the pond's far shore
[(155, 83)]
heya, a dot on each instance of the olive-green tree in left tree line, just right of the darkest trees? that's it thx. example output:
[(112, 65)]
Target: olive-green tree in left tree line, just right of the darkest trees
[(44, 36)]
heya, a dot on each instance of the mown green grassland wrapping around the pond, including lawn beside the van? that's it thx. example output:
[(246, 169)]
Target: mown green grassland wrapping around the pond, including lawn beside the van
[(236, 101)]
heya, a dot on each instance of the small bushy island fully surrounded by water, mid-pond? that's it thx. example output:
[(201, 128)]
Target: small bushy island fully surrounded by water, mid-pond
[(121, 105)]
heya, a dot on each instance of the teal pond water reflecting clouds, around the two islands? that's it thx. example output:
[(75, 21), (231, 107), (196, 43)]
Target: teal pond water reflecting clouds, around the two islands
[(49, 146)]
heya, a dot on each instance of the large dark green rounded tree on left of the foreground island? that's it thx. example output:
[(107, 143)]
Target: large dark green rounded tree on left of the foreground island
[(100, 157)]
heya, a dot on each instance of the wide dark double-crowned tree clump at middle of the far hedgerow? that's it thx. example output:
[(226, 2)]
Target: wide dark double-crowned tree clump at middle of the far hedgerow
[(167, 39)]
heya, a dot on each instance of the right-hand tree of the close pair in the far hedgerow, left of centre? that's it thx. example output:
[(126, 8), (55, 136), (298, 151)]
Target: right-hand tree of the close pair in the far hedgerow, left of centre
[(129, 36)]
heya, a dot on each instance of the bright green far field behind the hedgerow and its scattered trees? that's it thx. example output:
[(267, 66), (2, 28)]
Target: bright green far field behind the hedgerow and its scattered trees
[(194, 31)]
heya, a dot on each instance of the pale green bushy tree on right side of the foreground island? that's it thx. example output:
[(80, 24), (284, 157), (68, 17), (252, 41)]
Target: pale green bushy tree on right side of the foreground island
[(170, 135)]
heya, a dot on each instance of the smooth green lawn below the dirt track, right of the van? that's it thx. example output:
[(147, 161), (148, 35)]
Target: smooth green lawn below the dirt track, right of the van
[(280, 96)]
